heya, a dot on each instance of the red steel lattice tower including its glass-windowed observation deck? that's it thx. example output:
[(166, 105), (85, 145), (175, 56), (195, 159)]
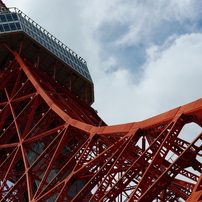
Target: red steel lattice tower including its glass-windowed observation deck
[(54, 146)]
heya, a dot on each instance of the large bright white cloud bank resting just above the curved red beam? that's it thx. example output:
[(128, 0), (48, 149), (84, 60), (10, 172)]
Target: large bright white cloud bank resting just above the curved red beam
[(171, 80)]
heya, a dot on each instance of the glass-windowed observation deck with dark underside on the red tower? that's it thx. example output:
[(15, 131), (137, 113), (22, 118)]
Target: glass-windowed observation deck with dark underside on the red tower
[(41, 48)]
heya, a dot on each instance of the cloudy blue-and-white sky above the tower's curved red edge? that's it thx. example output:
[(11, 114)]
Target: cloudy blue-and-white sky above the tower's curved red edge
[(145, 57)]
